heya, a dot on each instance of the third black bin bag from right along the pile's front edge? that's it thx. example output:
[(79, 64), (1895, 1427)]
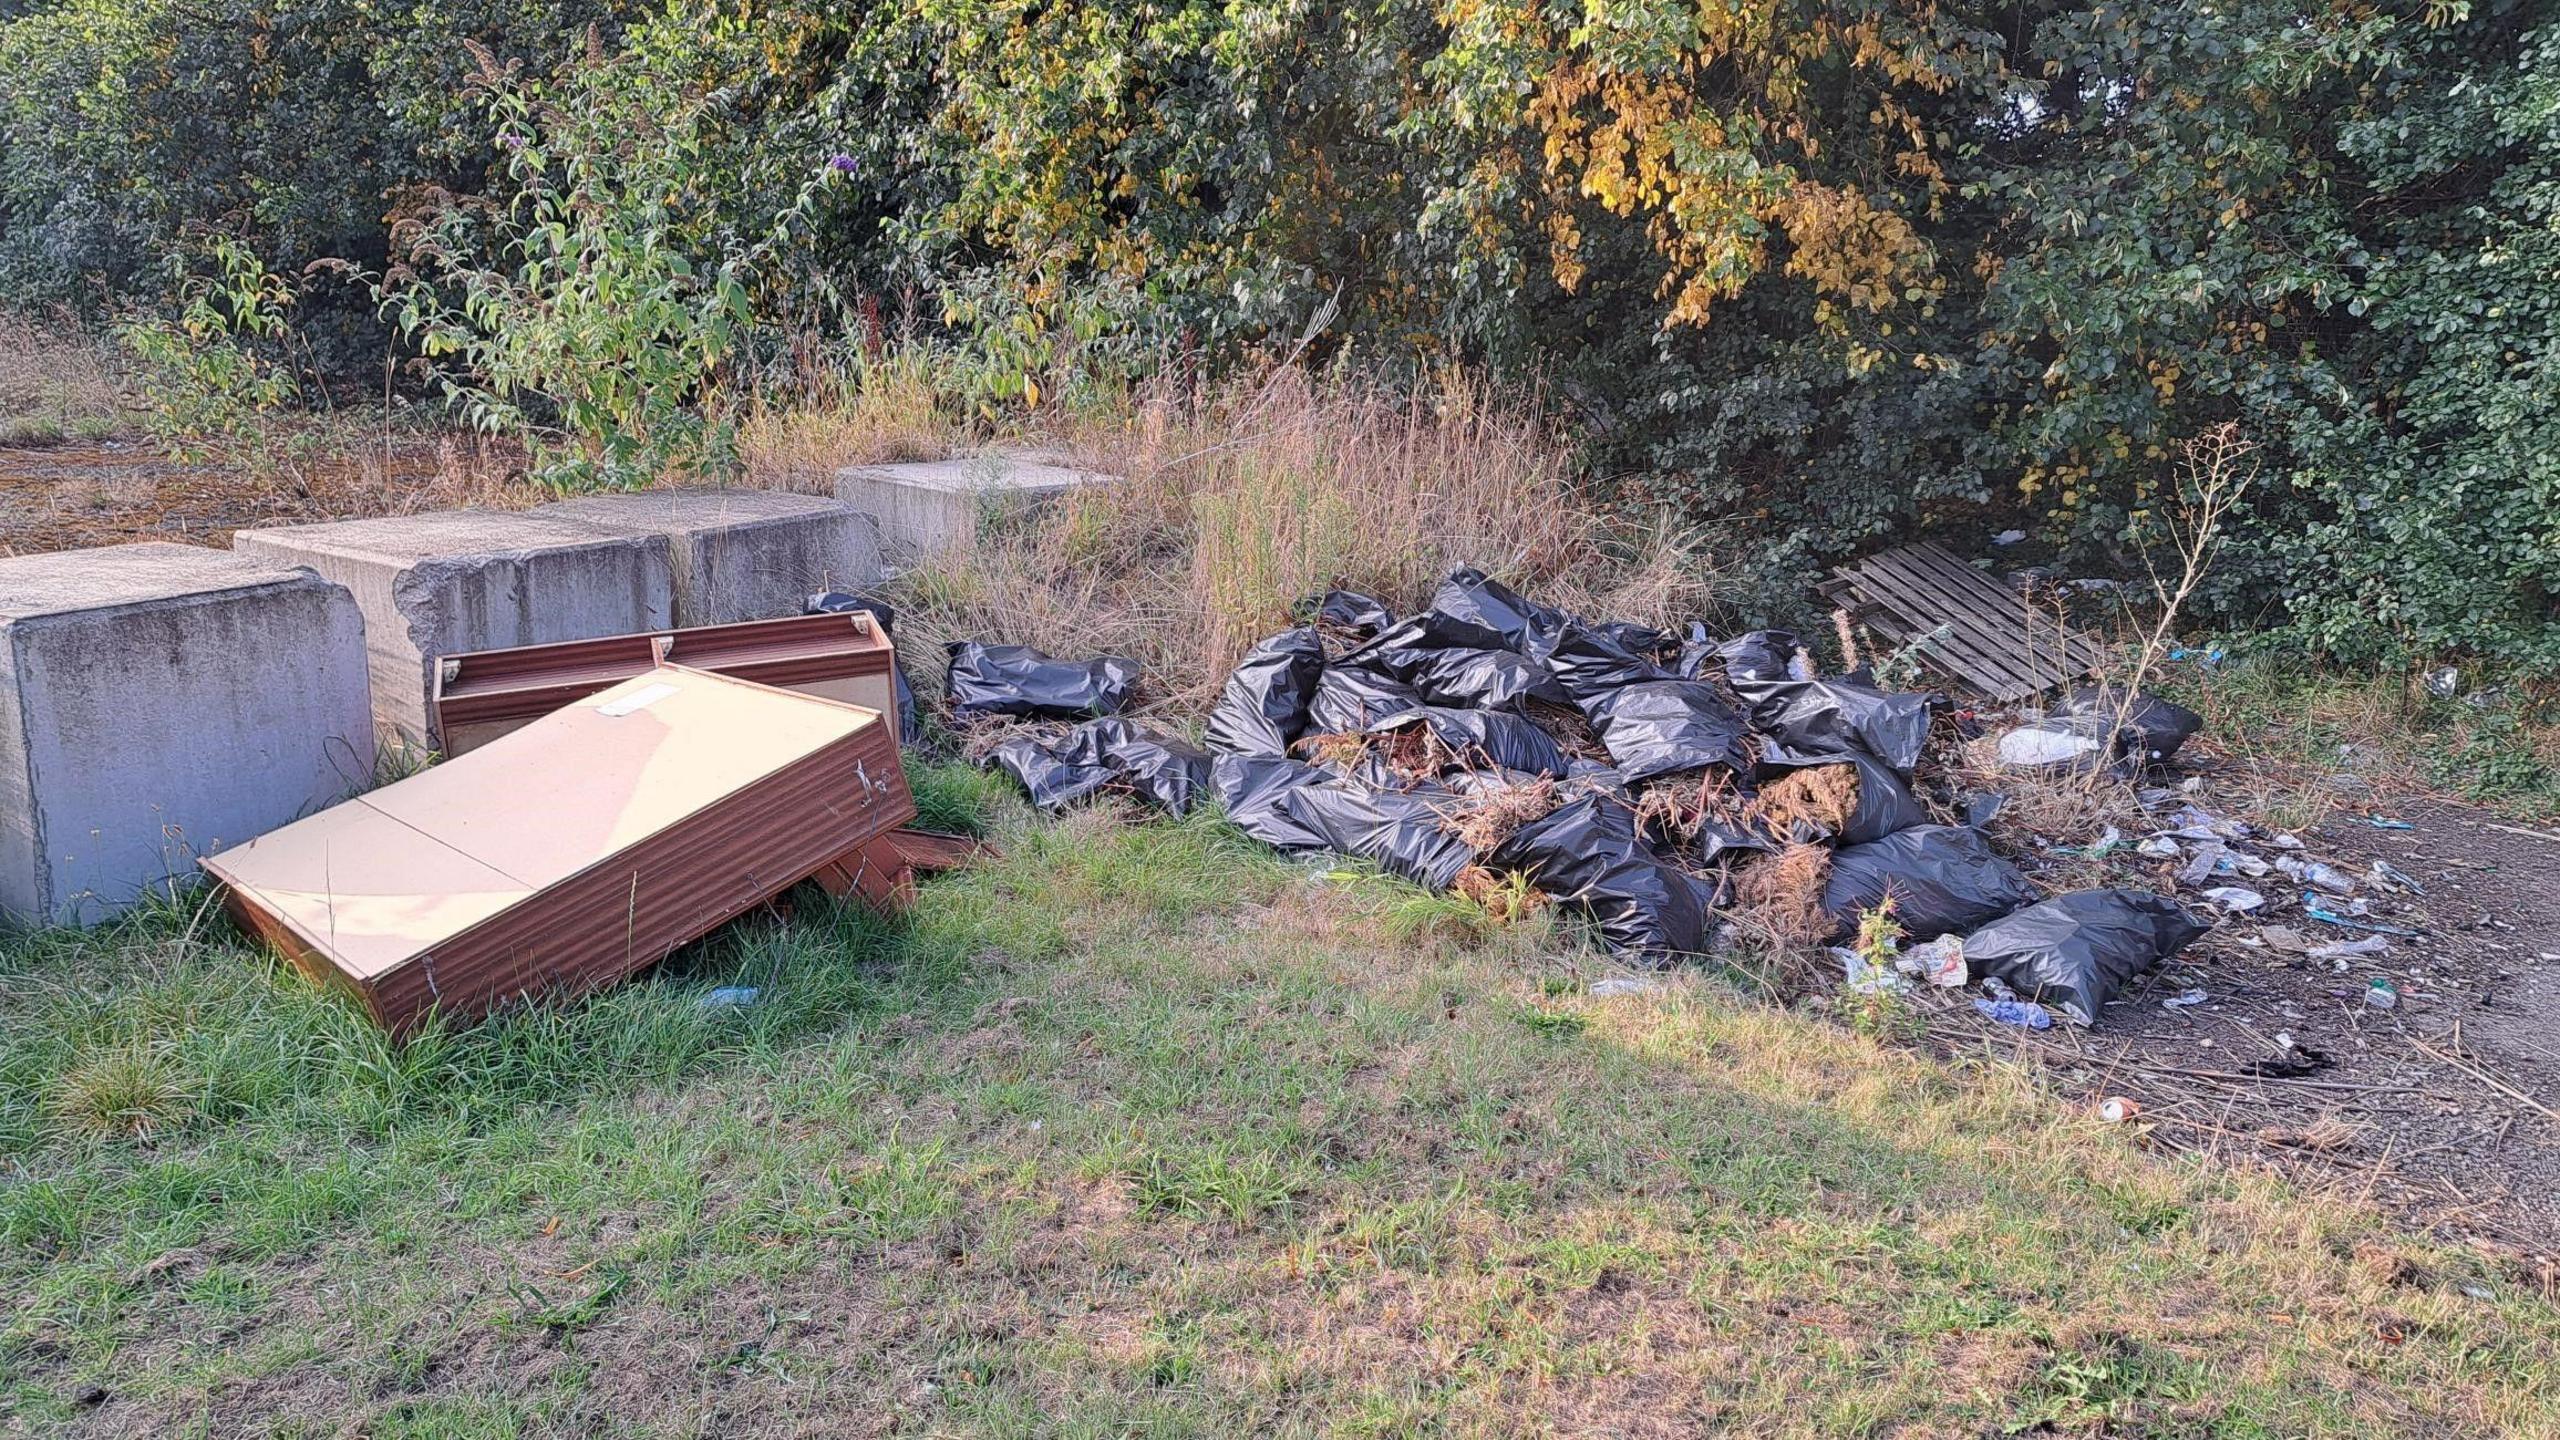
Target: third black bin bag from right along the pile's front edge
[(1594, 860)]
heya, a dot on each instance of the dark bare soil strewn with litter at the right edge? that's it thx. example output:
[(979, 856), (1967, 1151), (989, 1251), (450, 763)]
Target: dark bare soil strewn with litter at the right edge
[(2446, 1106)]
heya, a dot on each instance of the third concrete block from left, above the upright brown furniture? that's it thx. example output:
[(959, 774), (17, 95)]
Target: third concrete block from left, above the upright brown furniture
[(744, 555)]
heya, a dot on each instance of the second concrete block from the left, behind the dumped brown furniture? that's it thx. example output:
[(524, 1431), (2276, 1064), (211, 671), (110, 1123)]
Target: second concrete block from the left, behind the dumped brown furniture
[(472, 580)]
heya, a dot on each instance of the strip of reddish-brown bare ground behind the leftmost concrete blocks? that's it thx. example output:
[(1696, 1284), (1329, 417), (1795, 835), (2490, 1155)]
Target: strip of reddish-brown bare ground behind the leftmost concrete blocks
[(60, 498)]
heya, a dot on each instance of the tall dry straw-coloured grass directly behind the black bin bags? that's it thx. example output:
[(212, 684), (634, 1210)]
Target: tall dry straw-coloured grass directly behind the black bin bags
[(1261, 493)]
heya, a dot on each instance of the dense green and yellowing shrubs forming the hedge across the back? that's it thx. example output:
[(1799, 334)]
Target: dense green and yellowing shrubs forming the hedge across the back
[(1814, 270)]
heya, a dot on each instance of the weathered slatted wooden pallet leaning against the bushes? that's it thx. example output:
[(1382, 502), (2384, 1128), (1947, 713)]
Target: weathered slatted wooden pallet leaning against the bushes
[(1996, 644)]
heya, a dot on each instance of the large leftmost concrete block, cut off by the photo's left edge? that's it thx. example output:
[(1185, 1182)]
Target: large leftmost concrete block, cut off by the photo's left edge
[(160, 703)]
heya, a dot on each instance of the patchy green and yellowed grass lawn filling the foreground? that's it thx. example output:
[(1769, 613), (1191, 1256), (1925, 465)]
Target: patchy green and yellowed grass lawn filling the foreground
[(1140, 1131)]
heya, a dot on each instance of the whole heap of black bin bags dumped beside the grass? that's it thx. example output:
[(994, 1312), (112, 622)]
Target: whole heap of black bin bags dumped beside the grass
[(1478, 670)]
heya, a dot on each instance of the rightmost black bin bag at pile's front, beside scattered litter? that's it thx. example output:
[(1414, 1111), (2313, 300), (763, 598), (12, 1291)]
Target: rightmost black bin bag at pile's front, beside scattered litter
[(2077, 952)]
